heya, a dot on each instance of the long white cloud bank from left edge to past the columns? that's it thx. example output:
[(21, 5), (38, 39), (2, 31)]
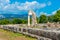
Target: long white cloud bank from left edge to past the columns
[(15, 7)]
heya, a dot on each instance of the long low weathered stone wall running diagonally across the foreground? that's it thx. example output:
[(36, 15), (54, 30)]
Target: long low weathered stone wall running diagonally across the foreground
[(40, 34)]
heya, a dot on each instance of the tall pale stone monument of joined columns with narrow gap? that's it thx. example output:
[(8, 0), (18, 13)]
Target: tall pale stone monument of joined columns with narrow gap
[(34, 21)]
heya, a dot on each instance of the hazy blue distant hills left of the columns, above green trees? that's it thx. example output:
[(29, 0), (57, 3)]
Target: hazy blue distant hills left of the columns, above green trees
[(11, 16)]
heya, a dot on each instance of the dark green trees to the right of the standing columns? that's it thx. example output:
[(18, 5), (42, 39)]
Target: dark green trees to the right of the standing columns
[(53, 18)]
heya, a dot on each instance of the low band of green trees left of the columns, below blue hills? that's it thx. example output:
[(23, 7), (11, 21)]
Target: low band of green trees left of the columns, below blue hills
[(13, 21)]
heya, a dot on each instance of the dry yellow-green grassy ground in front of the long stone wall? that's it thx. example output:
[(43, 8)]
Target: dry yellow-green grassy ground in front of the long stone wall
[(7, 35)]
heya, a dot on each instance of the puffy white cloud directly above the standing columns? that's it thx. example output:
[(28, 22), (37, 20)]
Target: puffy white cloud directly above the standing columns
[(31, 5)]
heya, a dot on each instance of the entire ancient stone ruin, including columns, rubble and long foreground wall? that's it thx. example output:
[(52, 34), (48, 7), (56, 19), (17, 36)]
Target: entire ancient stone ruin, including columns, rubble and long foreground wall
[(49, 31)]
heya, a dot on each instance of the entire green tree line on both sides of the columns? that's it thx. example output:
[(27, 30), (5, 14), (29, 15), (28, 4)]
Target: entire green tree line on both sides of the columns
[(42, 19)]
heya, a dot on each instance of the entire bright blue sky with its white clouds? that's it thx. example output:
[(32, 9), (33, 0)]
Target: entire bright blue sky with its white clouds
[(48, 7)]
